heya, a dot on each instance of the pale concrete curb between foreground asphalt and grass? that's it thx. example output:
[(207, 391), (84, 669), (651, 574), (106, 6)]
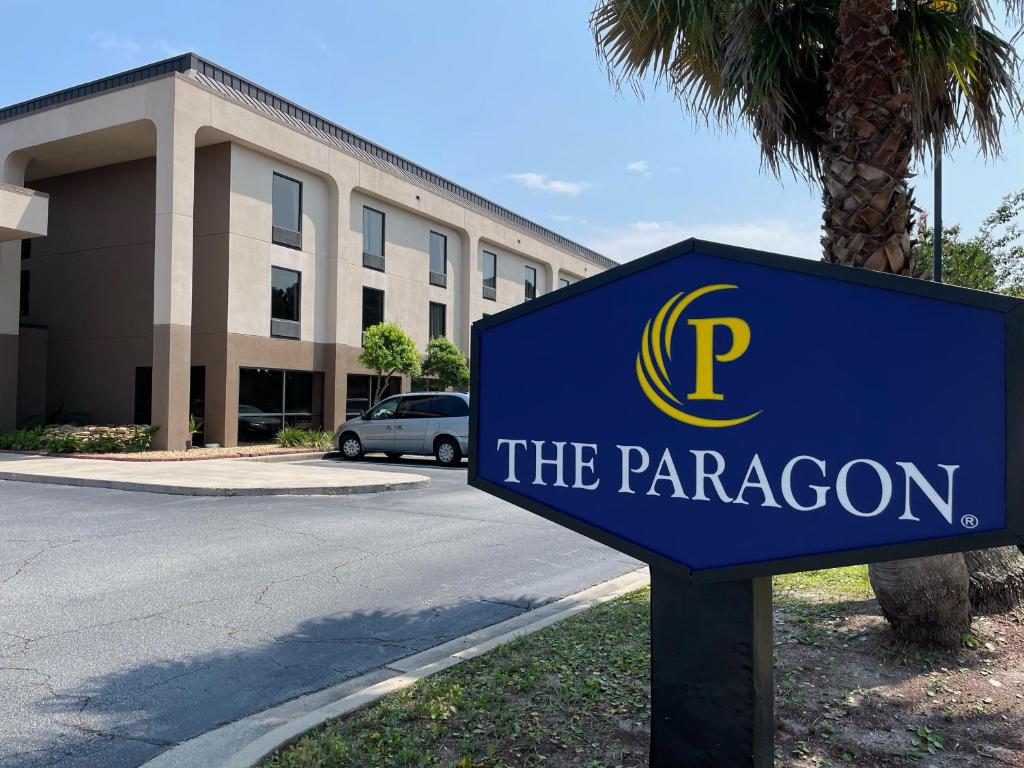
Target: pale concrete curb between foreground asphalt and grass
[(351, 696)]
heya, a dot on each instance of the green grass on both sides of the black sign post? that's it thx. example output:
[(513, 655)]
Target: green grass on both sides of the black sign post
[(574, 696)]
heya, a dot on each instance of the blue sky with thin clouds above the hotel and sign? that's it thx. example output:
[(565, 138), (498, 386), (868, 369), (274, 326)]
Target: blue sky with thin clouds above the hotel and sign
[(506, 99)]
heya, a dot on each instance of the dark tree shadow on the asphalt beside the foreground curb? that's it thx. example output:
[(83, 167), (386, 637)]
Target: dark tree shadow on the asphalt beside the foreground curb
[(127, 718)]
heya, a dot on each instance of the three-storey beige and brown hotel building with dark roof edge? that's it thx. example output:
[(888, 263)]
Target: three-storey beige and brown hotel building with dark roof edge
[(179, 241)]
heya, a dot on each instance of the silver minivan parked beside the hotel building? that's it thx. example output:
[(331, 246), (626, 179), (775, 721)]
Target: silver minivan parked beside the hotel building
[(421, 423)]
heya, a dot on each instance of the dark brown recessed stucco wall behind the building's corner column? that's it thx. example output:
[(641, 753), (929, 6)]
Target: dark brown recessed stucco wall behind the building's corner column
[(93, 288)]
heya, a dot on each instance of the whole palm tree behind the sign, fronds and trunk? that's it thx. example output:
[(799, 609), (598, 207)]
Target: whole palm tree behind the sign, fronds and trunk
[(842, 93)]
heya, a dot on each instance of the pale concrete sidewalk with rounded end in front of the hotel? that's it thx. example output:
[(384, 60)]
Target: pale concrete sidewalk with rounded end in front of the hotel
[(212, 478)]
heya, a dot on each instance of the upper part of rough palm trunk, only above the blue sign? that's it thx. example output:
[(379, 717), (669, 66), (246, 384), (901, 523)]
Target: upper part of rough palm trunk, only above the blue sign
[(868, 149)]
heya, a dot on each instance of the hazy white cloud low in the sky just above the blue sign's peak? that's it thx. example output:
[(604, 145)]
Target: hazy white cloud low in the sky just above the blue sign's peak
[(641, 238)]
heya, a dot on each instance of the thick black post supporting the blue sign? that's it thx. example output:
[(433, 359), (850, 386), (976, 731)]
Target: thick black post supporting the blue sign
[(712, 691)]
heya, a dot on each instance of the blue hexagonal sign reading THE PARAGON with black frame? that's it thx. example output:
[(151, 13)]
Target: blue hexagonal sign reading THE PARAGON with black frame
[(738, 413)]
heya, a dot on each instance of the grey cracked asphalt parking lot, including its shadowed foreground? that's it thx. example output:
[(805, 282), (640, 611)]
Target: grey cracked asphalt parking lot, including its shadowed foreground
[(131, 622)]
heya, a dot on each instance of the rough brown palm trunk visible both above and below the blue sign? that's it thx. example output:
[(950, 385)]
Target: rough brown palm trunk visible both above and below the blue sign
[(867, 224)]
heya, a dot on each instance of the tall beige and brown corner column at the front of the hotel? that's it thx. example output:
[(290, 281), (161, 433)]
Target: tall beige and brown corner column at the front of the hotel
[(173, 280)]
